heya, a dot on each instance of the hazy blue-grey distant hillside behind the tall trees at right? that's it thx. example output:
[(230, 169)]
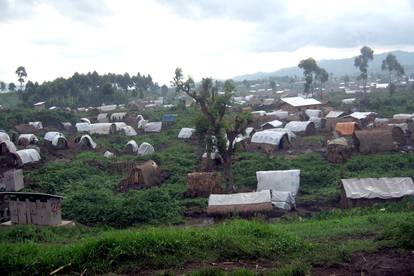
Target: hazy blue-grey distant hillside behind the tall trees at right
[(339, 67)]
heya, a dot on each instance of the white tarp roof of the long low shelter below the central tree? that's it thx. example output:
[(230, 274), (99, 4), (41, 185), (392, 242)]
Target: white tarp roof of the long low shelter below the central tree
[(239, 199)]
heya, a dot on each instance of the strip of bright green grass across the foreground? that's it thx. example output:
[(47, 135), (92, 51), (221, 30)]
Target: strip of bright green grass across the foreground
[(323, 240)]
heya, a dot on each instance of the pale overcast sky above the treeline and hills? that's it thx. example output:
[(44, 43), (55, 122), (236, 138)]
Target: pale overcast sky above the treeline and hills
[(214, 38)]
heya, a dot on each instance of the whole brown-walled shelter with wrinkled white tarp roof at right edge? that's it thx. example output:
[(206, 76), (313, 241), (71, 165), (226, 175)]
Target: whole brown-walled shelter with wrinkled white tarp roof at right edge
[(357, 192)]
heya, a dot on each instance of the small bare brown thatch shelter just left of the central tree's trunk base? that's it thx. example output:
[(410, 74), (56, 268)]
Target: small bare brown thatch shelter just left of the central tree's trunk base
[(202, 184)]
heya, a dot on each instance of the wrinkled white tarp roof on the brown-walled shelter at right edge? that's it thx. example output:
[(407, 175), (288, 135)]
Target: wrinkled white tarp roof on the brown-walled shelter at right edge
[(386, 187)]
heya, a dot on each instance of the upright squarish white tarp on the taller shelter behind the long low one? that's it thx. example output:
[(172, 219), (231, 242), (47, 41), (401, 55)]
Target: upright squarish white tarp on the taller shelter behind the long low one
[(281, 180)]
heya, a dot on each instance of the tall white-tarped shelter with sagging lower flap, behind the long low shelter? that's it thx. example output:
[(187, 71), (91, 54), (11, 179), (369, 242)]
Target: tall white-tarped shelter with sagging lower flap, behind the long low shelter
[(283, 185)]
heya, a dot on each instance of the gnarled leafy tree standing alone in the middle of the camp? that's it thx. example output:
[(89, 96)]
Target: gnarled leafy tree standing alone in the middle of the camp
[(213, 107)]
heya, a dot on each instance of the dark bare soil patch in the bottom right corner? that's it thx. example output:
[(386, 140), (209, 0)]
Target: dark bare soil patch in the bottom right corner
[(384, 262)]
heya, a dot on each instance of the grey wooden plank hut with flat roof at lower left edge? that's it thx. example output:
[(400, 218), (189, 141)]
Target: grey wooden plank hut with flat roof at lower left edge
[(34, 208)]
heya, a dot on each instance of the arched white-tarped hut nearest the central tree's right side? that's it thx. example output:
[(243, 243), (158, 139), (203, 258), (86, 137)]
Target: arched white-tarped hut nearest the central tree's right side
[(269, 141)]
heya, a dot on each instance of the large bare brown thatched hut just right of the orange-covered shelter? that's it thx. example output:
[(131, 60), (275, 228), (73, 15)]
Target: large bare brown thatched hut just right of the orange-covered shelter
[(379, 139)]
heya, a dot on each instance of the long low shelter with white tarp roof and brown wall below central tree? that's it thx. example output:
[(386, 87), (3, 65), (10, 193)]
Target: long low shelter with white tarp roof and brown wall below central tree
[(241, 203)]
